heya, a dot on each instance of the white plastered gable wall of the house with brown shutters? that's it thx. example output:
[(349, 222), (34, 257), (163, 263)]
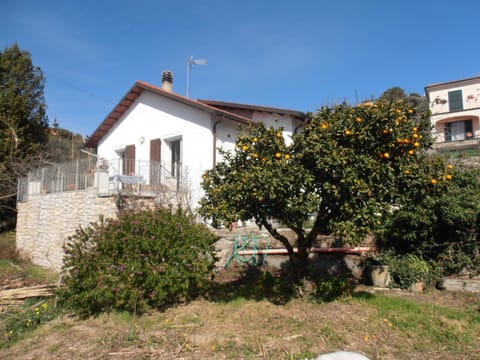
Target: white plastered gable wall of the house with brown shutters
[(153, 117)]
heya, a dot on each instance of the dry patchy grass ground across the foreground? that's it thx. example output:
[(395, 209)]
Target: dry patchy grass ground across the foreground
[(249, 329)]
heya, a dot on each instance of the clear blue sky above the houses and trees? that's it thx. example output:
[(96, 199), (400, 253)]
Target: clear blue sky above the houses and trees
[(291, 54)]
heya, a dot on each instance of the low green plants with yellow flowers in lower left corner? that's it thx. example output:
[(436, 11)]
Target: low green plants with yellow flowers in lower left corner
[(14, 324)]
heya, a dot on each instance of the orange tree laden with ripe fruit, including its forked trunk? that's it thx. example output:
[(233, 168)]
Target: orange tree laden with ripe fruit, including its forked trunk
[(346, 172)]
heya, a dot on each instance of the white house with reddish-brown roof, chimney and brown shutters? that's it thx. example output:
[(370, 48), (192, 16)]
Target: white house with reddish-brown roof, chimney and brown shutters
[(155, 137)]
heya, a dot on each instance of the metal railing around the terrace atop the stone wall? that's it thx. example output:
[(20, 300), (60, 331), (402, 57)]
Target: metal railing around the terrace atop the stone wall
[(139, 177)]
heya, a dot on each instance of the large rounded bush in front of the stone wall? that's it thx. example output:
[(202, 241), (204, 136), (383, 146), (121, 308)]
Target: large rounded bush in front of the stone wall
[(147, 259)]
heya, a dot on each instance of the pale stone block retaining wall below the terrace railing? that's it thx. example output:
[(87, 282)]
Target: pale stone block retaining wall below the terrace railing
[(45, 222)]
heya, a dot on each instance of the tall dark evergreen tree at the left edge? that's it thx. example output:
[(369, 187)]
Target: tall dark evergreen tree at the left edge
[(23, 124)]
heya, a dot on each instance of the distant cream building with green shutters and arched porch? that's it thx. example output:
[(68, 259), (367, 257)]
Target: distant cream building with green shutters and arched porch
[(455, 113)]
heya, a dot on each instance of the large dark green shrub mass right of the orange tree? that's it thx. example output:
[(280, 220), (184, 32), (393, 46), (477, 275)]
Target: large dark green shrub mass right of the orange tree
[(443, 227)]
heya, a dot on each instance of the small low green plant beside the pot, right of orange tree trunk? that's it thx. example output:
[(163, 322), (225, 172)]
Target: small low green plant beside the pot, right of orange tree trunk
[(410, 269)]
